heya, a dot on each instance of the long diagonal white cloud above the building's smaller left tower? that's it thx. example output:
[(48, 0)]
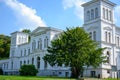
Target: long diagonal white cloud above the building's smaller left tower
[(26, 16)]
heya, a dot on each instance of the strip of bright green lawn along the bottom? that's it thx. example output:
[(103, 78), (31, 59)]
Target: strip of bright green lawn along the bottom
[(42, 78)]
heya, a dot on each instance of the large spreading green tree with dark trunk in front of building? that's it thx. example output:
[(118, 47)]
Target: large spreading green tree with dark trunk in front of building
[(74, 48)]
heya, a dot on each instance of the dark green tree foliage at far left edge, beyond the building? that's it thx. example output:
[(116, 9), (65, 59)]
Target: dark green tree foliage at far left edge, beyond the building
[(4, 46)]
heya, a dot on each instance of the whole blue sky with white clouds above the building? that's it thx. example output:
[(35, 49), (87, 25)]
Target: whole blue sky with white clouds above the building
[(16, 15)]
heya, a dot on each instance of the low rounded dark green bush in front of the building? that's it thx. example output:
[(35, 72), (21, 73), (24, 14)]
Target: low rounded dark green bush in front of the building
[(28, 70)]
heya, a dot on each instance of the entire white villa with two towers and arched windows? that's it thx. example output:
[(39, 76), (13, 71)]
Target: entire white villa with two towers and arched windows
[(98, 22)]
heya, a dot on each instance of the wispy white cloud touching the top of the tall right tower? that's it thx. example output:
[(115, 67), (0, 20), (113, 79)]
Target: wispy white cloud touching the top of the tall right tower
[(76, 4)]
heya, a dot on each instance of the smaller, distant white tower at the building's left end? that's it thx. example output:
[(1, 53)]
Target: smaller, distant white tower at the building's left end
[(17, 38)]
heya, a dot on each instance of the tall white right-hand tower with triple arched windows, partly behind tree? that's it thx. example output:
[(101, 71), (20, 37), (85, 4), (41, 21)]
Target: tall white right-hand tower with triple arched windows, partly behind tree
[(99, 23)]
